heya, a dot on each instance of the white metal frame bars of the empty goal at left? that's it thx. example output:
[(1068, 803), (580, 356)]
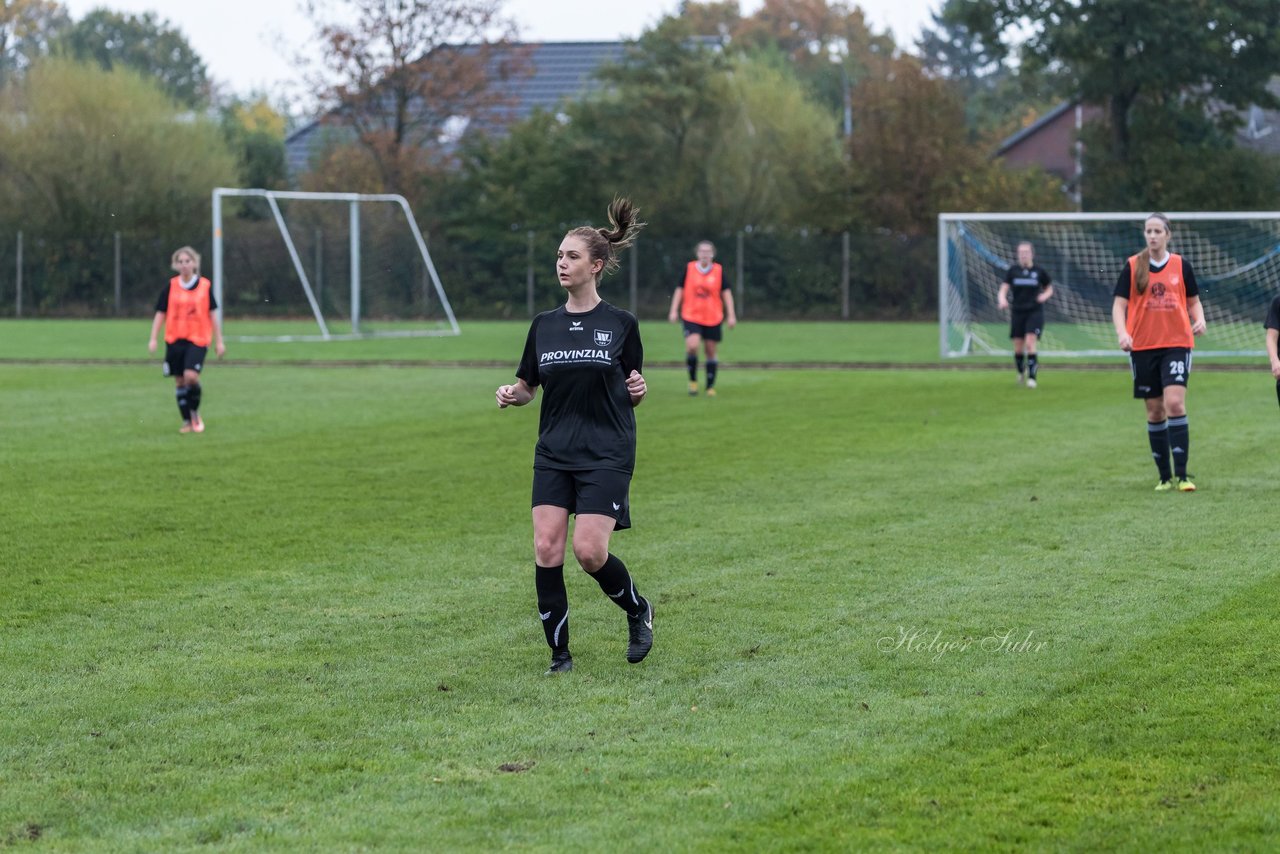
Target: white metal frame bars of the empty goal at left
[(354, 200)]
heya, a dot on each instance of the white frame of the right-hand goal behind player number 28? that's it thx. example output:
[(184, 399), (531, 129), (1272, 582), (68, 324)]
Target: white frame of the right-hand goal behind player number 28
[(953, 312)]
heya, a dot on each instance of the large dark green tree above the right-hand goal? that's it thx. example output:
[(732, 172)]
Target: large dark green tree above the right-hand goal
[(1171, 65)]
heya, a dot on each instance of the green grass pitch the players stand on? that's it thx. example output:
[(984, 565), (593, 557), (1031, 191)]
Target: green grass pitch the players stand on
[(894, 610)]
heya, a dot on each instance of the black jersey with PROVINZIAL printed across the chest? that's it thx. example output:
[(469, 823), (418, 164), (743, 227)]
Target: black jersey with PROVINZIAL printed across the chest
[(582, 362)]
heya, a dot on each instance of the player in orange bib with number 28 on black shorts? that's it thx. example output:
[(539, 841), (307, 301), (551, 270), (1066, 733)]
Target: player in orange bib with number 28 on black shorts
[(1158, 314)]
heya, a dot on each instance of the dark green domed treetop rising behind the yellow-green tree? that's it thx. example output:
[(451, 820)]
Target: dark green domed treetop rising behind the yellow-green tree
[(149, 45)]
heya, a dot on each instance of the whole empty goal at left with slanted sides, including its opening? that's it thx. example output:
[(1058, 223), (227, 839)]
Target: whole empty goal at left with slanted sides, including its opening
[(324, 267)]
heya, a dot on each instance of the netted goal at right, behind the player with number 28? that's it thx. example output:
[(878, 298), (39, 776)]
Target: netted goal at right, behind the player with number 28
[(1236, 258)]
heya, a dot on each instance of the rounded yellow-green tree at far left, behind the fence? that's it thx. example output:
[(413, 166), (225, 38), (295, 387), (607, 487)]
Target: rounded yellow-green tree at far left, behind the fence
[(99, 153)]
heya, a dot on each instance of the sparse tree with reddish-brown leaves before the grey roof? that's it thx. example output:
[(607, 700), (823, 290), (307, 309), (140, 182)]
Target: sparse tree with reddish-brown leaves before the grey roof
[(408, 77)]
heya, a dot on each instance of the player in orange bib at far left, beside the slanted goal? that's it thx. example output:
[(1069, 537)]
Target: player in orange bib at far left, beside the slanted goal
[(188, 310)]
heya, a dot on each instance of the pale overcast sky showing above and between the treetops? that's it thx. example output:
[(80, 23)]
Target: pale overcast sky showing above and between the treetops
[(246, 44)]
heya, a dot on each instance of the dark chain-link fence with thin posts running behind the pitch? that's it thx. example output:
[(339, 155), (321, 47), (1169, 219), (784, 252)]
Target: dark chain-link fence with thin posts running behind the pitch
[(511, 275)]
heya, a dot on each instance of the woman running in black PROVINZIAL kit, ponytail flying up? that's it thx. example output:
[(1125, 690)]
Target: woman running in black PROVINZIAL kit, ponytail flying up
[(587, 357)]
